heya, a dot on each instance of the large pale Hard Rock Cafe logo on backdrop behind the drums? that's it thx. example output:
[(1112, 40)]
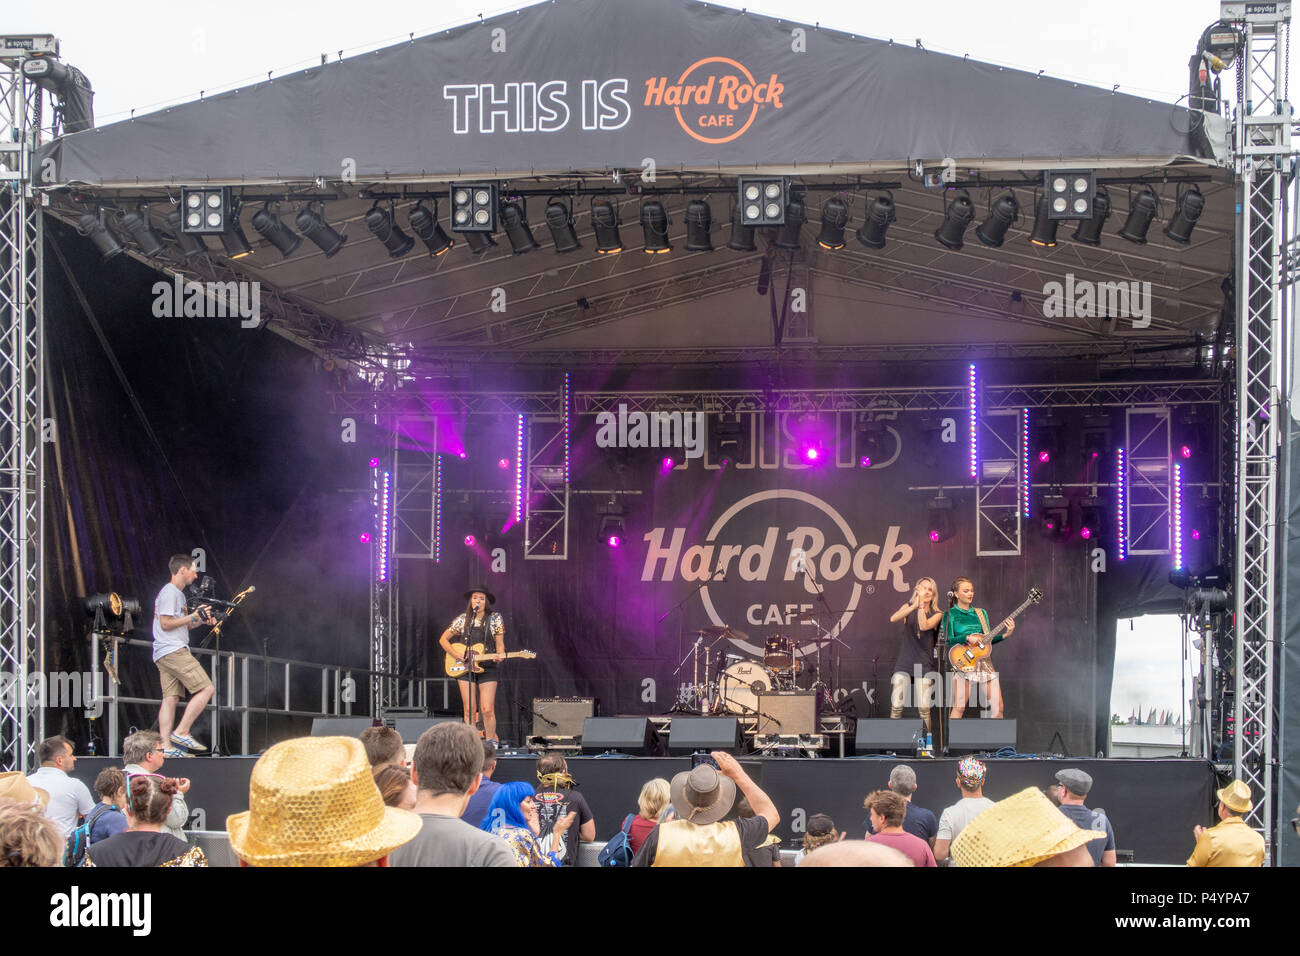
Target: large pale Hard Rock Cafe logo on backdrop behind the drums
[(811, 557)]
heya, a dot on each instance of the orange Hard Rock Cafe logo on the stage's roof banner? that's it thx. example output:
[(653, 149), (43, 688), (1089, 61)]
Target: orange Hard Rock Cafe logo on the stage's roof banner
[(716, 100)]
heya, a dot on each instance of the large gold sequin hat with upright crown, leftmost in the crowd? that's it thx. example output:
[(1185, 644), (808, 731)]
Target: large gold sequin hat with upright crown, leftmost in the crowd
[(313, 802)]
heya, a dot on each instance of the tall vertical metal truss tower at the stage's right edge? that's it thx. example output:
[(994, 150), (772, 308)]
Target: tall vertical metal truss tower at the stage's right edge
[(1262, 148)]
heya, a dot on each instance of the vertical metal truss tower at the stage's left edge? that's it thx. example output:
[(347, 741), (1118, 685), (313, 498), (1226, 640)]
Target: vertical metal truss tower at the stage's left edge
[(21, 419)]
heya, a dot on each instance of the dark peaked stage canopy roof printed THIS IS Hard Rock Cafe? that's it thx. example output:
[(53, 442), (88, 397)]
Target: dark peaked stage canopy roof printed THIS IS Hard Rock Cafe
[(583, 98)]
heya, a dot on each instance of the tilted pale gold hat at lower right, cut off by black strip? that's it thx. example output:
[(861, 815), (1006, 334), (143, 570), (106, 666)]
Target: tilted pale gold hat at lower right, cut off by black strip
[(1022, 830)]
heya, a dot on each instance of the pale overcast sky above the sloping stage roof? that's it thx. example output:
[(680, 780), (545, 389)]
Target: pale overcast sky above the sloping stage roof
[(145, 54)]
